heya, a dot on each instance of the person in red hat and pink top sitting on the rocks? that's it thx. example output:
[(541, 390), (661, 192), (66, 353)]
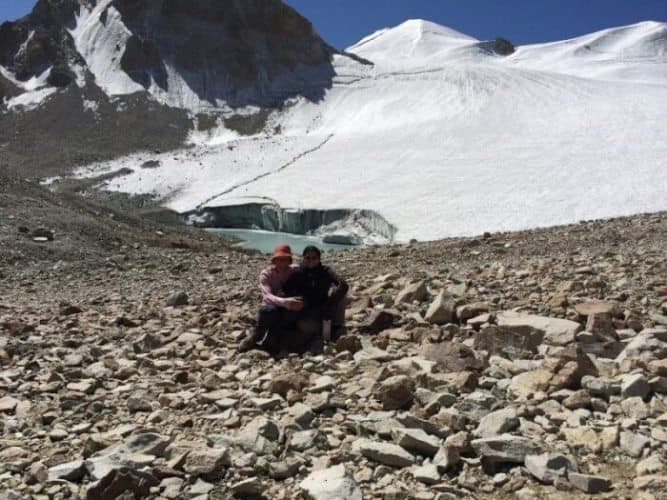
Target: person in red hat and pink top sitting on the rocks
[(278, 312)]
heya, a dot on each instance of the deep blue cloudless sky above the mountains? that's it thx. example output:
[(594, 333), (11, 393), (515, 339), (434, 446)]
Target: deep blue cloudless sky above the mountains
[(343, 22)]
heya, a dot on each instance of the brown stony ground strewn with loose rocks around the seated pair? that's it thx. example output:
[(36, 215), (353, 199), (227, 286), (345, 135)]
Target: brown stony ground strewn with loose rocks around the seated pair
[(517, 365)]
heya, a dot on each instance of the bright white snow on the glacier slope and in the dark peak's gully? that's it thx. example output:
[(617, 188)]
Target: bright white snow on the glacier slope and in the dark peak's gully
[(440, 137)]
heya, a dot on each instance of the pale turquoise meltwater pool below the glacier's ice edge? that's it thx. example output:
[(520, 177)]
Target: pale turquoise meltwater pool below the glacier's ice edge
[(265, 241)]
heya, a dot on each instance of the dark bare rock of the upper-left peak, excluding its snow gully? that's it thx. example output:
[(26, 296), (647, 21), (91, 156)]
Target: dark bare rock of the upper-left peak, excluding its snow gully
[(224, 49)]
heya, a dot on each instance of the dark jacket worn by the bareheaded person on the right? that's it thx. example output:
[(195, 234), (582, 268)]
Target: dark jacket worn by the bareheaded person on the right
[(315, 286)]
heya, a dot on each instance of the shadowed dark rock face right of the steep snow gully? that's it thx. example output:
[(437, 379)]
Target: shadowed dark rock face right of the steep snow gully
[(247, 44)]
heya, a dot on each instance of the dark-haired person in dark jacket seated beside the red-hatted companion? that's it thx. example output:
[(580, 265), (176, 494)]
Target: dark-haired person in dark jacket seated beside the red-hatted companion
[(323, 293)]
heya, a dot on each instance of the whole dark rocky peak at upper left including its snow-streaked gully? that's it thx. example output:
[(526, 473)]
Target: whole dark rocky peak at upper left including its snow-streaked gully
[(183, 52)]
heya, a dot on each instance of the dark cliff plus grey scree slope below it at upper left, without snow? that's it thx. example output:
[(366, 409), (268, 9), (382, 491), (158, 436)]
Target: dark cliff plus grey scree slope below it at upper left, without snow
[(241, 52)]
